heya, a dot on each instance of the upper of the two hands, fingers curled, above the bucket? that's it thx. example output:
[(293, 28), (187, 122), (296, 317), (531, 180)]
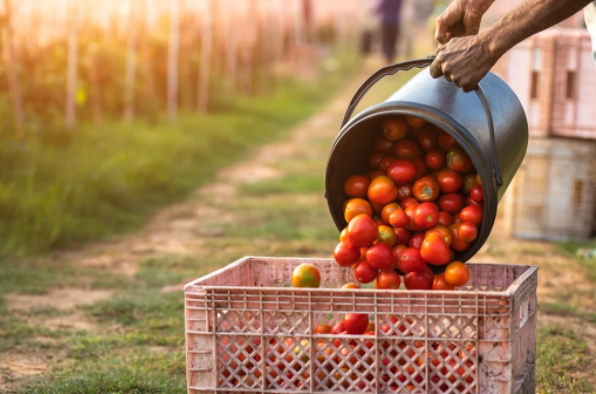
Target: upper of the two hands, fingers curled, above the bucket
[(461, 18)]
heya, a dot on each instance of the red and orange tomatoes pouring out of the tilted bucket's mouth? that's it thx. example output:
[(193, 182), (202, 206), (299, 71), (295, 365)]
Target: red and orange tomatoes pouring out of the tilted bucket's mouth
[(421, 202)]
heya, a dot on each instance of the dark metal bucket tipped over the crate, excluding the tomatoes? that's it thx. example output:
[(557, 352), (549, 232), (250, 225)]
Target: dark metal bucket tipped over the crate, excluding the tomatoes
[(490, 126)]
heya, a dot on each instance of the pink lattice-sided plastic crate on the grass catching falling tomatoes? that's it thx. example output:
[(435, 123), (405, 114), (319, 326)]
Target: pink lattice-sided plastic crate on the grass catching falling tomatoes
[(248, 331)]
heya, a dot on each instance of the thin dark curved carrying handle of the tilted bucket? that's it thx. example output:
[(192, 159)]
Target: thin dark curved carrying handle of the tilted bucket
[(421, 63)]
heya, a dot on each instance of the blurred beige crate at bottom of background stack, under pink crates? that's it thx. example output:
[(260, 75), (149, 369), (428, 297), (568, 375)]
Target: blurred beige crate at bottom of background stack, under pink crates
[(552, 196)]
